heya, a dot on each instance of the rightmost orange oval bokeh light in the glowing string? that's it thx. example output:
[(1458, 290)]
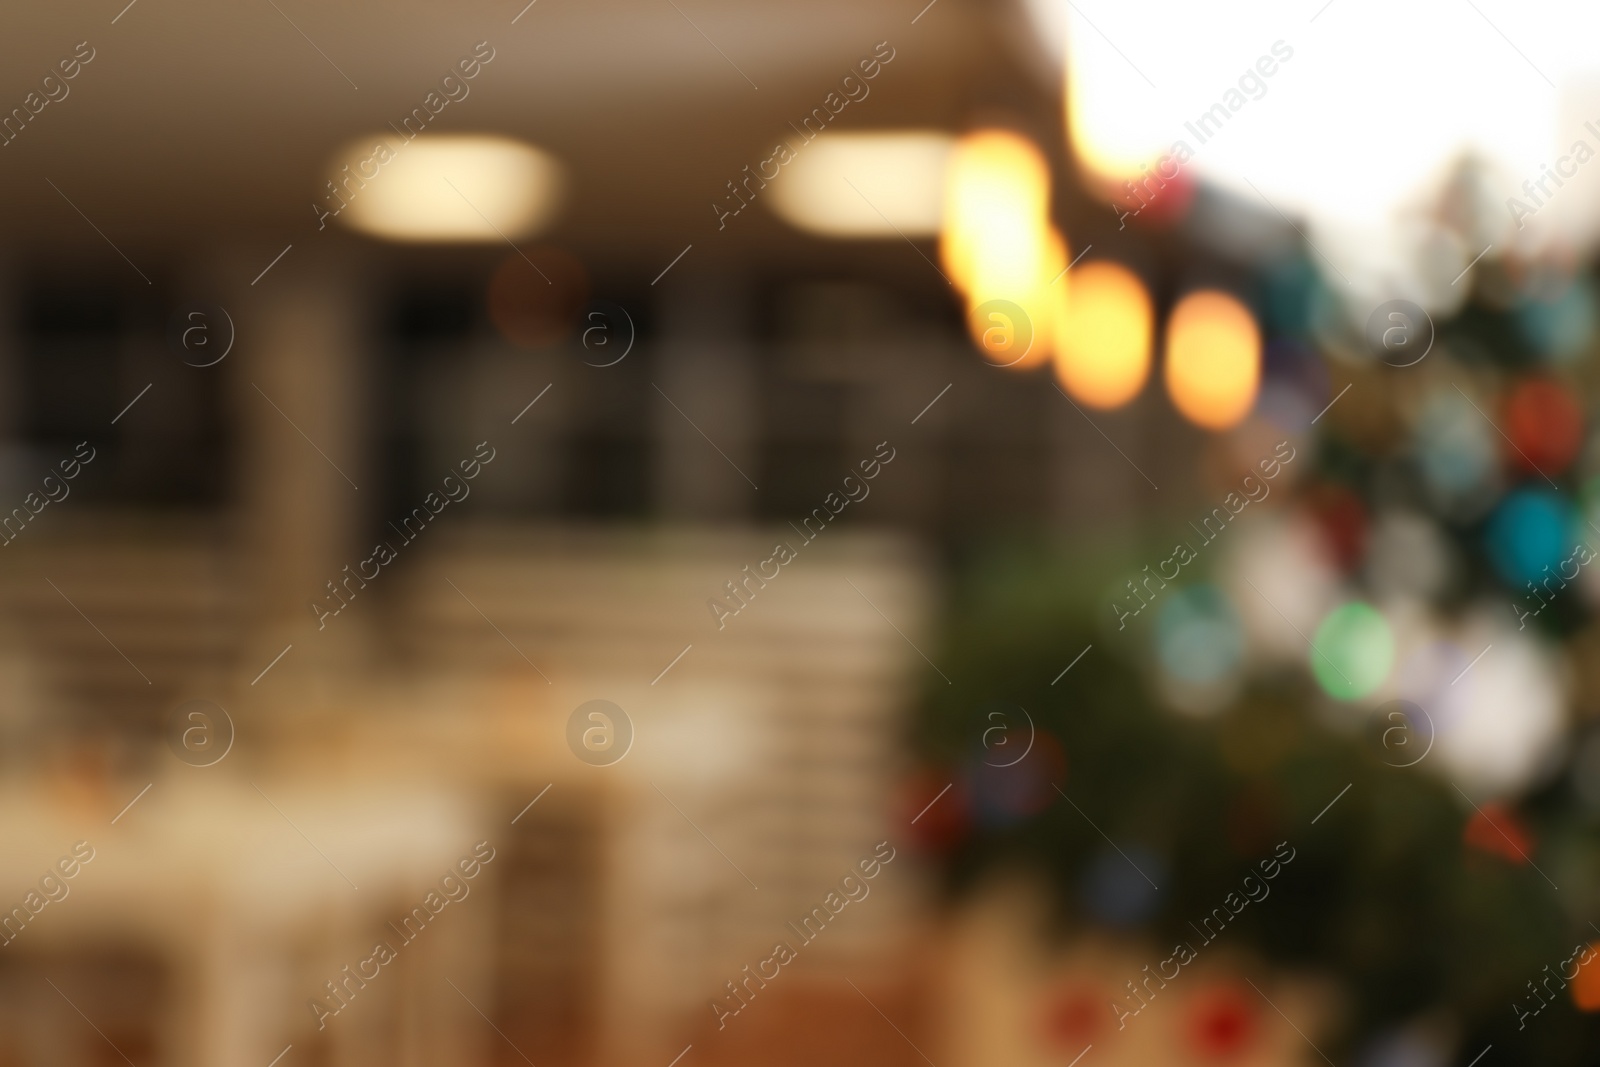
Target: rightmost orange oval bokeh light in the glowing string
[(1214, 359)]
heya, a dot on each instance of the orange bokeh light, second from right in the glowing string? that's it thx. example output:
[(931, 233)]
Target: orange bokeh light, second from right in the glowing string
[(1103, 335)]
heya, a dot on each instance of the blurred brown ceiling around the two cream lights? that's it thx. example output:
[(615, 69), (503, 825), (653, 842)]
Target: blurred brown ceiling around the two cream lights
[(201, 124)]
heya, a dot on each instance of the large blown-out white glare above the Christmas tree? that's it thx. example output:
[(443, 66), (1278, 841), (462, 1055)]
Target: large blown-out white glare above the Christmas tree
[(1353, 114)]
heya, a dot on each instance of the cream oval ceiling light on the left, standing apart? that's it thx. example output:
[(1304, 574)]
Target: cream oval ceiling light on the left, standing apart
[(447, 188)]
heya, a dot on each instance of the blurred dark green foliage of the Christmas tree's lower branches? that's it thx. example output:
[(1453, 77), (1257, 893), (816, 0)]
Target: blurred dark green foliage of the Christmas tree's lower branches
[(1383, 895)]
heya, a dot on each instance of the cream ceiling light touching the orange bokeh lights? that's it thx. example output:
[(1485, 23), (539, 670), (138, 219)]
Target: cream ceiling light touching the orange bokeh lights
[(866, 185)]
